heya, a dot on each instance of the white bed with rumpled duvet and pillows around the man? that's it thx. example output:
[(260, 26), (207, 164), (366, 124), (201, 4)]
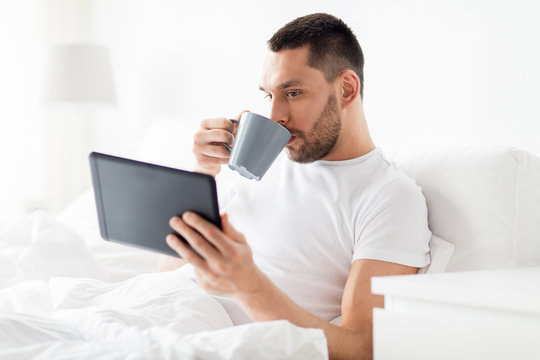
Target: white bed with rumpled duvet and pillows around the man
[(66, 293)]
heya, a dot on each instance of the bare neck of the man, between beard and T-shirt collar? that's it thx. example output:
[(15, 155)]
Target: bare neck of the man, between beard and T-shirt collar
[(355, 139)]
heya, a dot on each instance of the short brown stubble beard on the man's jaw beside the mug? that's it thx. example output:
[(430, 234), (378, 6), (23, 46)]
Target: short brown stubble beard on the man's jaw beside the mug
[(322, 139)]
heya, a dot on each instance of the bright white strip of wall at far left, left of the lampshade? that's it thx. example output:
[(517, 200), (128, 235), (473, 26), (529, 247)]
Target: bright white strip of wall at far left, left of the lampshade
[(20, 169)]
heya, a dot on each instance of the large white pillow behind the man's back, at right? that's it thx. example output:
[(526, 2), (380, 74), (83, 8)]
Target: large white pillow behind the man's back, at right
[(485, 201)]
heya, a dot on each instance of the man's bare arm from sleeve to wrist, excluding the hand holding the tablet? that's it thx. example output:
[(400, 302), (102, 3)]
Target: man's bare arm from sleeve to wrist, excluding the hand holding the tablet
[(353, 339)]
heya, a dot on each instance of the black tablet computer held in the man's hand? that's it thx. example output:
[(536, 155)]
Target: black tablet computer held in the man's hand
[(135, 200)]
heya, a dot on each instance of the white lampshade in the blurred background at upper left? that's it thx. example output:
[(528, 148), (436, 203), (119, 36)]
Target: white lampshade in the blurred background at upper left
[(79, 74)]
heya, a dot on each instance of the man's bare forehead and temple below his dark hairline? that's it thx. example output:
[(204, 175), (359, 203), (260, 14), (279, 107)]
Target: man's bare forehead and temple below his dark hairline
[(288, 66)]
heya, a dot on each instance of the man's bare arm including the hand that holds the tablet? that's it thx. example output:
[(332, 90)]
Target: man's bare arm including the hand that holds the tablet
[(226, 267)]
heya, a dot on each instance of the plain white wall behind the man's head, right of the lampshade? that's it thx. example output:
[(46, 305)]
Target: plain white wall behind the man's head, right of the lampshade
[(438, 73)]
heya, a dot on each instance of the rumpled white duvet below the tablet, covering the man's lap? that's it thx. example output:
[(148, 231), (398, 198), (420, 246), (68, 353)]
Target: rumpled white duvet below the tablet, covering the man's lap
[(65, 294)]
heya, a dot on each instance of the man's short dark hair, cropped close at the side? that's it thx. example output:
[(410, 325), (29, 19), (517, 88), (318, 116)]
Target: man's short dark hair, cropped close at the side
[(333, 47)]
